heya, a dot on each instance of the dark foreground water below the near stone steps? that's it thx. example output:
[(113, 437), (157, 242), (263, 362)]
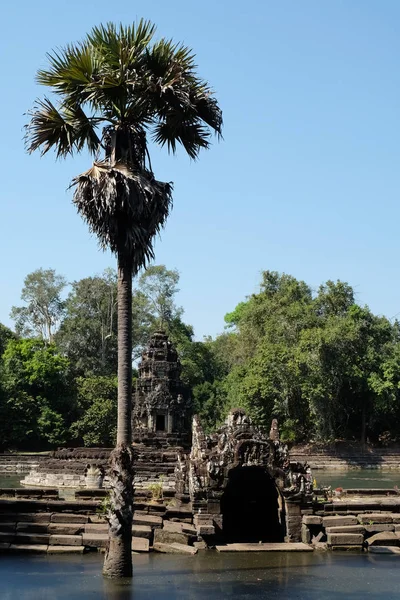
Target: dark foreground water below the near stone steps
[(208, 575)]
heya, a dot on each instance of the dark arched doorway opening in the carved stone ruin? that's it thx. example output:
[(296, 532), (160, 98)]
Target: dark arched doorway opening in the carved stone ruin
[(249, 507)]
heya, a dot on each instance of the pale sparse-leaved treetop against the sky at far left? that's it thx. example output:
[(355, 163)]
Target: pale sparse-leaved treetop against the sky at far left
[(44, 306)]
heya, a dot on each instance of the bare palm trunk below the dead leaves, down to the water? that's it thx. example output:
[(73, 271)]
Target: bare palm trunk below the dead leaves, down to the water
[(118, 558)]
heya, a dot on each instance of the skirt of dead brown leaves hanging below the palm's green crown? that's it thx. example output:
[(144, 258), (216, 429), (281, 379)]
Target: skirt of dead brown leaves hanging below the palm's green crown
[(124, 209)]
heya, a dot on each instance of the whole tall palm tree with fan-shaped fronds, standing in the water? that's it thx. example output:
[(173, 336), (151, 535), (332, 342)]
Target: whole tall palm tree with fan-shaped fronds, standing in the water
[(115, 91)]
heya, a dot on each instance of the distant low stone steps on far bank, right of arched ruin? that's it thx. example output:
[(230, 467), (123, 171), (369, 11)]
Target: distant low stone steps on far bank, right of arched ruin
[(347, 457)]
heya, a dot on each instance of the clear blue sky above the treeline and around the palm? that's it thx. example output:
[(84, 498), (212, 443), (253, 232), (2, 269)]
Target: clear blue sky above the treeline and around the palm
[(306, 180)]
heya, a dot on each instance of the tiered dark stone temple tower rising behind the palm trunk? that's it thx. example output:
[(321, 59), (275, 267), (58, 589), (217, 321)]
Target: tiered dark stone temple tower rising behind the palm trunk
[(161, 403)]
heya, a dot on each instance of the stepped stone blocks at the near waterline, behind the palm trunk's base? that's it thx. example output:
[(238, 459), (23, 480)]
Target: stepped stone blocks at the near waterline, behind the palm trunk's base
[(54, 526)]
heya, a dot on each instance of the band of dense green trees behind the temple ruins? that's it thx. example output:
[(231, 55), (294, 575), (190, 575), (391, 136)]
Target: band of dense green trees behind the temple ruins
[(326, 367)]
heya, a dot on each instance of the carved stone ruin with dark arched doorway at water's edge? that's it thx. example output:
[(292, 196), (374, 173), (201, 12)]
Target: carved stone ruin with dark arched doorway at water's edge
[(242, 485)]
